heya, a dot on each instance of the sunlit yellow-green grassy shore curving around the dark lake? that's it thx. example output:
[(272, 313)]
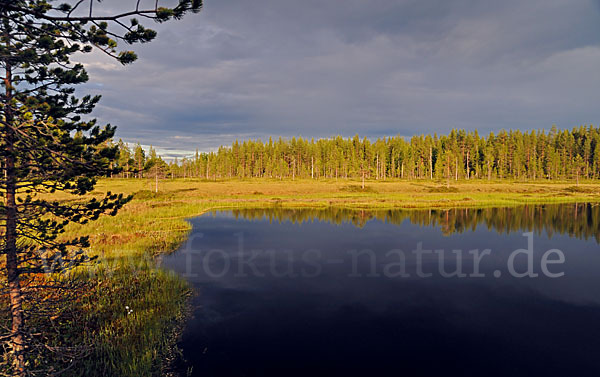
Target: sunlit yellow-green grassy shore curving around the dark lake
[(133, 307)]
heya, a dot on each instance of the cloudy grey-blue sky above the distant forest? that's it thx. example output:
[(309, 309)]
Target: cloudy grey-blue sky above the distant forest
[(319, 68)]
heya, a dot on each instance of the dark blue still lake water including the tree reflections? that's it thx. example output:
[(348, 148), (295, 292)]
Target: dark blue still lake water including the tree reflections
[(343, 293)]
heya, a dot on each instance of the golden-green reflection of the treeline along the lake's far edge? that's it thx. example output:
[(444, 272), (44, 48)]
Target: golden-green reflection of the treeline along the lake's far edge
[(577, 220)]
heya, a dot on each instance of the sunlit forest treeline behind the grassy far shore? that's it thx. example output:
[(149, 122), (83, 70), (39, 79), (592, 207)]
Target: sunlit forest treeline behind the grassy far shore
[(554, 154)]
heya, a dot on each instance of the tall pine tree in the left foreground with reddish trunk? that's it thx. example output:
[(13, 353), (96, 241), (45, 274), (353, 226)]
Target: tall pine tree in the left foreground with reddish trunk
[(46, 143)]
